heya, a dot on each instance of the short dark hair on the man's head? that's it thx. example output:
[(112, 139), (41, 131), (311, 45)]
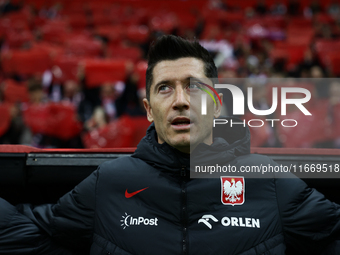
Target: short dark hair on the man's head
[(170, 47)]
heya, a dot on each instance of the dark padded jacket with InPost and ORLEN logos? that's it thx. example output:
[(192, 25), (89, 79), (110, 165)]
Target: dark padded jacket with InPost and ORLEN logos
[(173, 214)]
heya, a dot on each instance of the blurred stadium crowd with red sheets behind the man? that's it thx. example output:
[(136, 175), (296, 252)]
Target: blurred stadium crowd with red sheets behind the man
[(73, 72)]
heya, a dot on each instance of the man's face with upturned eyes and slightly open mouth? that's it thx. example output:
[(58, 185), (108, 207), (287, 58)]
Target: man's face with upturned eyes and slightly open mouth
[(178, 122)]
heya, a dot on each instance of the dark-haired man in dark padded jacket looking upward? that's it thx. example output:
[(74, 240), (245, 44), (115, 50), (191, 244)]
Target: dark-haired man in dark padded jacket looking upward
[(147, 203)]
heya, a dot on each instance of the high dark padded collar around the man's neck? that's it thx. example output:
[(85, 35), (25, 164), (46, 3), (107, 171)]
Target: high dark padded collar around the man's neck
[(229, 143)]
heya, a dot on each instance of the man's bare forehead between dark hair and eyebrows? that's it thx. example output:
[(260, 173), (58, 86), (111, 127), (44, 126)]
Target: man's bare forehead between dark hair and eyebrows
[(180, 69)]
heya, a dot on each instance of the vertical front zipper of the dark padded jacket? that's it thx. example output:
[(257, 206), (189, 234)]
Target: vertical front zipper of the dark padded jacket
[(184, 211)]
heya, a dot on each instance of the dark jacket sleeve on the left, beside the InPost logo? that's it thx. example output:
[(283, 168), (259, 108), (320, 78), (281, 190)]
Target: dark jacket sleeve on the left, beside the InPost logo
[(70, 222)]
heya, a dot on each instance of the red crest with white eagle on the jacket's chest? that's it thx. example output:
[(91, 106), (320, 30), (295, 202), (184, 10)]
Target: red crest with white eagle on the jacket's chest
[(232, 188)]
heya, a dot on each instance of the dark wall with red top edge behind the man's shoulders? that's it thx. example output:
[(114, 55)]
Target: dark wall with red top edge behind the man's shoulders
[(42, 176)]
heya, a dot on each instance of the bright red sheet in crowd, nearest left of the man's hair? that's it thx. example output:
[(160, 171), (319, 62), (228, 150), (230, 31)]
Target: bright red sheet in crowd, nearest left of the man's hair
[(98, 71)]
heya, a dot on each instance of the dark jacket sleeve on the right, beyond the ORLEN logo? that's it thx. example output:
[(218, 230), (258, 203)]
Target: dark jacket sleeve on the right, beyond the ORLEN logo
[(310, 221)]
